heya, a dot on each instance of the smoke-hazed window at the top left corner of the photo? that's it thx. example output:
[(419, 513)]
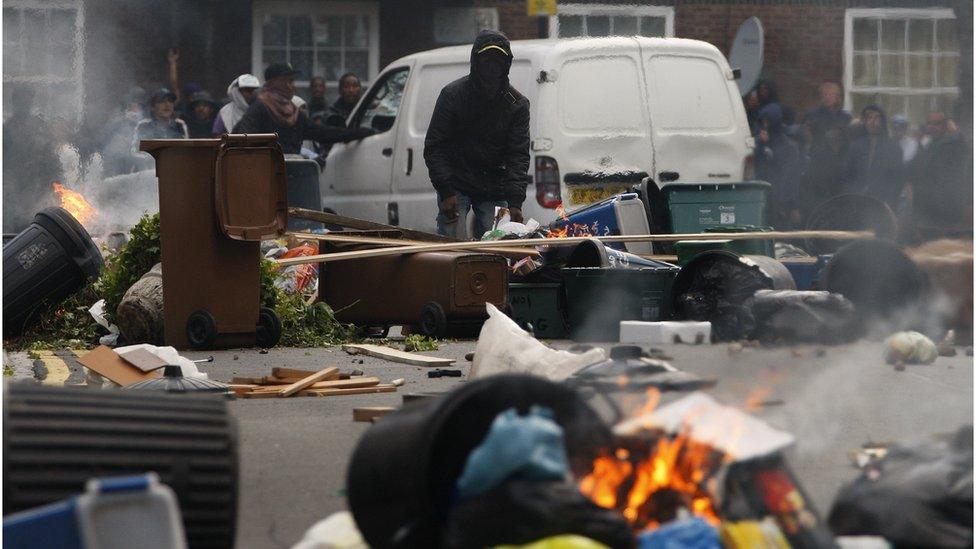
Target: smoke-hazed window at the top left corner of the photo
[(42, 48)]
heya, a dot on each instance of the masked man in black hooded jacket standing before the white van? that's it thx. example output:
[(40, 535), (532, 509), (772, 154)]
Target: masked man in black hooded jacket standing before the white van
[(477, 145)]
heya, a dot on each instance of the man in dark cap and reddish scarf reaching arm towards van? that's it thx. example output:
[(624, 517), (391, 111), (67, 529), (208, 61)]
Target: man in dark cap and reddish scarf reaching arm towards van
[(274, 112)]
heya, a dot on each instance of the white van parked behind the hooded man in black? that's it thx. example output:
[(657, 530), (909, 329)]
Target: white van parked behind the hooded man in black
[(605, 113)]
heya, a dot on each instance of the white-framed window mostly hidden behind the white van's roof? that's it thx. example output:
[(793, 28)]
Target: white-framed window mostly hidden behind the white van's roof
[(574, 20)]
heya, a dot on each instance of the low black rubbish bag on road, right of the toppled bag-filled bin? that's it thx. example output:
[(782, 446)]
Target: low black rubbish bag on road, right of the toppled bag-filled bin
[(802, 316)]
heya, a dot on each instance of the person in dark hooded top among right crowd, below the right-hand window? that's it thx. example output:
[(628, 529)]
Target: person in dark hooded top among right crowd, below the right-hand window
[(874, 161)]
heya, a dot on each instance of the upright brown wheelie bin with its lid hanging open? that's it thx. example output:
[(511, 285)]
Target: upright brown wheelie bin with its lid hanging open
[(218, 198)]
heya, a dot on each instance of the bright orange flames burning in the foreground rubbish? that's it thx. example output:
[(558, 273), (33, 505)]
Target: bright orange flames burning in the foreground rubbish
[(650, 484)]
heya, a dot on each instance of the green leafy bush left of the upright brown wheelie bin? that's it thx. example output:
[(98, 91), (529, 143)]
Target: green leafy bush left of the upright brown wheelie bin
[(123, 269)]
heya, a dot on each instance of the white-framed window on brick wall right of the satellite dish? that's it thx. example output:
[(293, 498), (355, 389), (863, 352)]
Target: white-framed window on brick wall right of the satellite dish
[(905, 60)]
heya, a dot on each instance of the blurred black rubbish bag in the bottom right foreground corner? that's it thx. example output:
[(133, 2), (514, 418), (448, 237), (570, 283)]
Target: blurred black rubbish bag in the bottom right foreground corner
[(916, 496)]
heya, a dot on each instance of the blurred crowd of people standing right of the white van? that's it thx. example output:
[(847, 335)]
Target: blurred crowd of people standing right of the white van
[(924, 177)]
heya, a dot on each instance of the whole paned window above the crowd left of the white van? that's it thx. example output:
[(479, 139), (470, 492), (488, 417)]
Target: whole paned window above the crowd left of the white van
[(324, 39)]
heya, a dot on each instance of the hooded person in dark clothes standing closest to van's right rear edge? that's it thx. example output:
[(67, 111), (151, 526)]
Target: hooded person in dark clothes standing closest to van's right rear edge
[(778, 163)]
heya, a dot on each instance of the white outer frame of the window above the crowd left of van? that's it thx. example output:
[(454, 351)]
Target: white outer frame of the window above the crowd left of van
[(298, 7)]
